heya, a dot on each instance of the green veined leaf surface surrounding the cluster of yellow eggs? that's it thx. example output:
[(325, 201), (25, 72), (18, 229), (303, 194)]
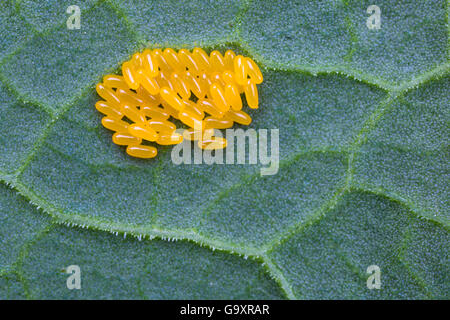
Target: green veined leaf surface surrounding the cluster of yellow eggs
[(363, 131)]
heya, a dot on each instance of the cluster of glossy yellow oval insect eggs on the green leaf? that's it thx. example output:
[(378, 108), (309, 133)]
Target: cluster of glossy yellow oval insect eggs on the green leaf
[(202, 91)]
